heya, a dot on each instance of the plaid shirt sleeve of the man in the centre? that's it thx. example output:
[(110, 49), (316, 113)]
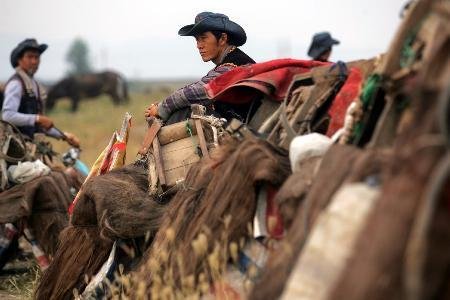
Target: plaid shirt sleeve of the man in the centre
[(193, 93)]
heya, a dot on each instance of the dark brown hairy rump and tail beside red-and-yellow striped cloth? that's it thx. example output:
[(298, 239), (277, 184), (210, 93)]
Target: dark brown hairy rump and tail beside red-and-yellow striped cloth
[(114, 205)]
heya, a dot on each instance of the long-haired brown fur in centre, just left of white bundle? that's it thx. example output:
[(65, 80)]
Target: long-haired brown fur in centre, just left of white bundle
[(225, 186)]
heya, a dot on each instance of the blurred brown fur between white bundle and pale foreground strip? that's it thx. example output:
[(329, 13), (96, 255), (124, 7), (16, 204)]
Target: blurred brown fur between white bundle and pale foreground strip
[(340, 164)]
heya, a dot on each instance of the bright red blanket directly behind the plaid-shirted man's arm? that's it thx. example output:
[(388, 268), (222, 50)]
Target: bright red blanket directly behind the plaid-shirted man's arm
[(272, 78)]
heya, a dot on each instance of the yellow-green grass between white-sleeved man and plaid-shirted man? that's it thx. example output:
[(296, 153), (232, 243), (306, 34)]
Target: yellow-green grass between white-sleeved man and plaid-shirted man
[(98, 118)]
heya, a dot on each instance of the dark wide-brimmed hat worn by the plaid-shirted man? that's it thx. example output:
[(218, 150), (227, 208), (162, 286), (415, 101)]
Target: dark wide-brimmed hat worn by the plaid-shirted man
[(208, 21)]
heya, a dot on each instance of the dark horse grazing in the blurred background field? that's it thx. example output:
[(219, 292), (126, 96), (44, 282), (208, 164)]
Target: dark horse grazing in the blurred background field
[(89, 85)]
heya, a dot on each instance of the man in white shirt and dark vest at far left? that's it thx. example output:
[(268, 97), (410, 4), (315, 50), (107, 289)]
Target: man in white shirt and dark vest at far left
[(23, 98)]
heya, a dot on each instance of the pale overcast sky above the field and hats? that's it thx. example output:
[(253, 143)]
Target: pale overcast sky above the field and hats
[(139, 37)]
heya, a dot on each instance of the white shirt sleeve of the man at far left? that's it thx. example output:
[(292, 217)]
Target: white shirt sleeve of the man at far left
[(11, 103)]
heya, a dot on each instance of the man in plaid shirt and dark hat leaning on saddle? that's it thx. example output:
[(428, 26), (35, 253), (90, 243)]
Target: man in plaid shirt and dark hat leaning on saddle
[(217, 40)]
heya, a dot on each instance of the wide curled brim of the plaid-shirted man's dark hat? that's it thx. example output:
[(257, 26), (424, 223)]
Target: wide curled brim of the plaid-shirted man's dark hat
[(204, 25)]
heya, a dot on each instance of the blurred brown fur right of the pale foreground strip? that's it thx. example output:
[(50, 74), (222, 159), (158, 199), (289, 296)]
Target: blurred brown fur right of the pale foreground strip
[(375, 269)]
